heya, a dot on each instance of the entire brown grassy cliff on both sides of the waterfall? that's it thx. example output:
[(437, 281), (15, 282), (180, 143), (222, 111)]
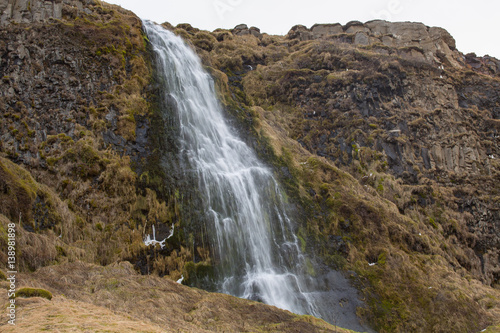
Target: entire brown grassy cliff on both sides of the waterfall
[(383, 135)]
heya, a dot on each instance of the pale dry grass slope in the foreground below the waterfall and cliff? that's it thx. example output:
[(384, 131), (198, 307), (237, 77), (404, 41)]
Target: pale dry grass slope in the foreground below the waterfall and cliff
[(90, 297)]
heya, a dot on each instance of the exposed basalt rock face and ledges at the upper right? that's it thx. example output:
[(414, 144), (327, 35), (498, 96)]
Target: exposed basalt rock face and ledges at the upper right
[(439, 126)]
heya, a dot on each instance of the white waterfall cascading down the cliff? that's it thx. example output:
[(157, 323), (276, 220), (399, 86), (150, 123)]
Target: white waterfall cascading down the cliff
[(258, 255)]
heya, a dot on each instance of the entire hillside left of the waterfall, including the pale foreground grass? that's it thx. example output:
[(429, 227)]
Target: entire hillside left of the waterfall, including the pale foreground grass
[(81, 178)]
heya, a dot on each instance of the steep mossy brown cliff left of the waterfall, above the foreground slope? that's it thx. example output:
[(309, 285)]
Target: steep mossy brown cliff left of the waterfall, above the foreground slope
[(78, 123)]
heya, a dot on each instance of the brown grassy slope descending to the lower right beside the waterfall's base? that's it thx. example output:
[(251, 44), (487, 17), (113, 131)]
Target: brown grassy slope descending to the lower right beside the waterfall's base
[(412, 279)]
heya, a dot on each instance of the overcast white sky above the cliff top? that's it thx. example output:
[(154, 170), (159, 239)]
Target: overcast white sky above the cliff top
[(474, 24)]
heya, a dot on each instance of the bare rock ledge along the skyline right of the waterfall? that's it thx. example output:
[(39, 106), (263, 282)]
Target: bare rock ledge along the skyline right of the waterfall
[(410, 40)]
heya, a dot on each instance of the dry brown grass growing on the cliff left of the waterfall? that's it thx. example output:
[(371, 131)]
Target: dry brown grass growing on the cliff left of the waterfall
[(91, 200)]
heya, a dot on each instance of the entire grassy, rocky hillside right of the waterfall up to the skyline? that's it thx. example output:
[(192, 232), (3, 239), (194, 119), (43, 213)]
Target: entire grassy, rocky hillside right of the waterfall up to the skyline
[(386, 137)]
